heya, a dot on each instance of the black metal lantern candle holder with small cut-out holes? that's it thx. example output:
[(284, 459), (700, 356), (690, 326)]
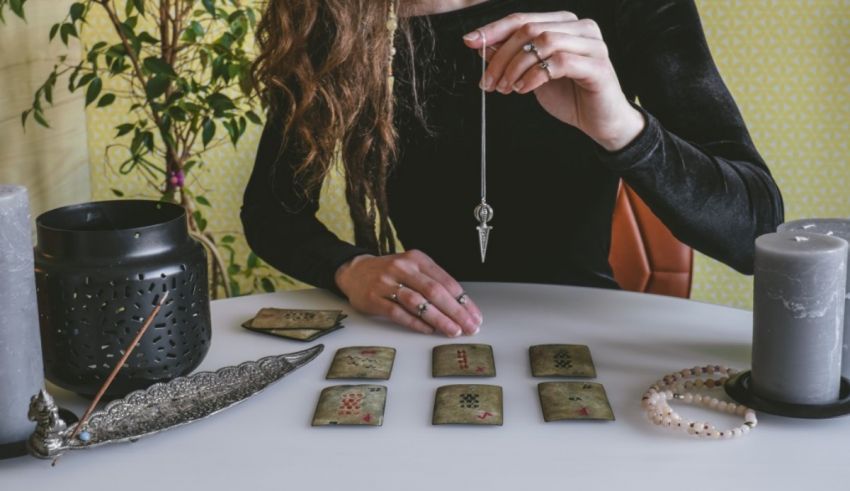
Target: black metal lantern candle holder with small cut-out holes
[(101, 268)]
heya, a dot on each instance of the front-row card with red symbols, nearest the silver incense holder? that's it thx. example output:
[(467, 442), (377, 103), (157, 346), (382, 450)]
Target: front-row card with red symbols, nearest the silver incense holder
[(351, 405)]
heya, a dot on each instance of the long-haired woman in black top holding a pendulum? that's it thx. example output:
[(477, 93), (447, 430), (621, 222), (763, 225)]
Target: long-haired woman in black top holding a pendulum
[(561, 136)]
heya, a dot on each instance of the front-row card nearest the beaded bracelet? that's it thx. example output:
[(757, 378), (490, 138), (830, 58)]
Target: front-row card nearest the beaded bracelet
[(574, 400)]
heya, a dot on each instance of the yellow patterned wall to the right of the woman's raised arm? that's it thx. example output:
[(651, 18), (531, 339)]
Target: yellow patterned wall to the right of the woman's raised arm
[(787, 62)]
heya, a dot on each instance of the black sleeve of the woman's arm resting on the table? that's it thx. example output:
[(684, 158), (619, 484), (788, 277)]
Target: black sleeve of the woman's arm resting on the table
[(280, 222)]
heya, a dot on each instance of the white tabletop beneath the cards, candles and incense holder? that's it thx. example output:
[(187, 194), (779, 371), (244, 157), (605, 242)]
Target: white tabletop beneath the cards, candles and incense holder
[(268, 442)]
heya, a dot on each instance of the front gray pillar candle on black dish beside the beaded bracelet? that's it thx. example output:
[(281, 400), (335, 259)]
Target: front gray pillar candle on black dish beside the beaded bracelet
[(798, 311)]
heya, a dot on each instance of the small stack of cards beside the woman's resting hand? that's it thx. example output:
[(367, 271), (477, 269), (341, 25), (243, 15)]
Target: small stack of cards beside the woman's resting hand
[(297, 324)]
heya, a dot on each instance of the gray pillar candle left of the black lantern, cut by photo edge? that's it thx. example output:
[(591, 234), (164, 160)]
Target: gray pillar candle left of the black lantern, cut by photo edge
[(21, 370)]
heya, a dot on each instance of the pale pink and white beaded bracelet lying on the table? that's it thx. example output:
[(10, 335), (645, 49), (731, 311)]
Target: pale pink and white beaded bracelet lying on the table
[(673, 387)]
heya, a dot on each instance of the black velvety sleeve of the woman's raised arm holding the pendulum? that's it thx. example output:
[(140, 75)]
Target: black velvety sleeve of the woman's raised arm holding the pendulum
[(694, 164)]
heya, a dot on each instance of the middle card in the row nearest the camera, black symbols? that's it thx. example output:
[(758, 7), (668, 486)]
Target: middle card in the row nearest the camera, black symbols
[(468, 405)]
